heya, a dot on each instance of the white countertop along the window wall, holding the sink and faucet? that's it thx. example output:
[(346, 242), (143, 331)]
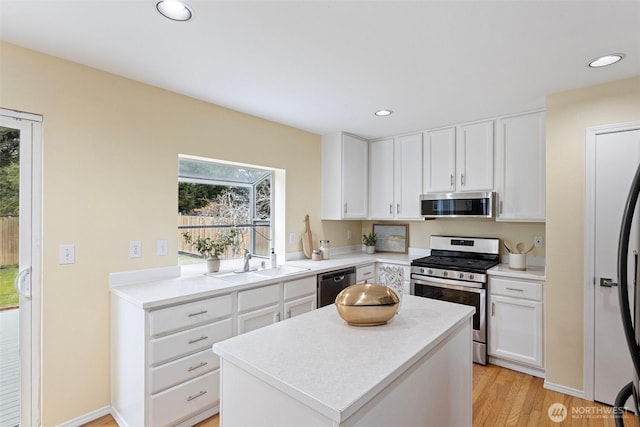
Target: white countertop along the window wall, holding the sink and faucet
[(150, 290)]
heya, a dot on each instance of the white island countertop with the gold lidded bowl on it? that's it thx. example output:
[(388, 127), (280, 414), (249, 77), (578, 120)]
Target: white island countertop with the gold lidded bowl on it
[(321, 361)]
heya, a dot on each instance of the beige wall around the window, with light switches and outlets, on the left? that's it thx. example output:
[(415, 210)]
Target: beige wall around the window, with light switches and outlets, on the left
[(110, 176)]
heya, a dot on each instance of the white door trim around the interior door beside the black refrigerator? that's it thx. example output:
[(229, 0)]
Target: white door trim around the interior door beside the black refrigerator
[(592, 134)]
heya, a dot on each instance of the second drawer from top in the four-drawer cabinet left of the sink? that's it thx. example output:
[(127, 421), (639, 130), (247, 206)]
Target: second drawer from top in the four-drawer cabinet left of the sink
[(189, 341)]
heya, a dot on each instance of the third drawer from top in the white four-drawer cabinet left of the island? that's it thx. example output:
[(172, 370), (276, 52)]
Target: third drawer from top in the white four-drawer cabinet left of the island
[(181, 370)]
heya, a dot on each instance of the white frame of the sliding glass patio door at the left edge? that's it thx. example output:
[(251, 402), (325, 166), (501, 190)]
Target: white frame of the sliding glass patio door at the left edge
[(30, 337)]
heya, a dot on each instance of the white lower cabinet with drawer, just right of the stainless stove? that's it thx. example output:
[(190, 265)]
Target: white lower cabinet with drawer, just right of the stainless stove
[(515, 323)]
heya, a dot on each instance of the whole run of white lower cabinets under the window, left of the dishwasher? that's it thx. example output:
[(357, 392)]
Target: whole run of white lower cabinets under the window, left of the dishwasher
[(163, 372)]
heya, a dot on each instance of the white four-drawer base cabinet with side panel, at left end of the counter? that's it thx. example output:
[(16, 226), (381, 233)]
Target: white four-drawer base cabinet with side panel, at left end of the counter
[(163, 371)]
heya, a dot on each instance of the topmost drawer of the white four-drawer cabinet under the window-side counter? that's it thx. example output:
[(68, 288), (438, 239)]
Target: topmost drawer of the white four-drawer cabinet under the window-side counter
[(185, 315)]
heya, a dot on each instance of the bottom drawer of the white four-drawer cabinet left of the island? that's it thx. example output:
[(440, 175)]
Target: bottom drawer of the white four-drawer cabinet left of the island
[(187, 399)]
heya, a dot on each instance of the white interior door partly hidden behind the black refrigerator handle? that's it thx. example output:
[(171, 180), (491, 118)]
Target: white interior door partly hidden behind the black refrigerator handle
[(613, 155)]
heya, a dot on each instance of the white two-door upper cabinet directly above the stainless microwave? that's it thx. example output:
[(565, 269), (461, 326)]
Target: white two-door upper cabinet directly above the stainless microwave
[(459, 159)]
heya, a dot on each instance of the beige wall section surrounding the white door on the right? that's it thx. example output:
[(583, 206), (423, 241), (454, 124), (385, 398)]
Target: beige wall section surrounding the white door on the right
[(569, 114)]
